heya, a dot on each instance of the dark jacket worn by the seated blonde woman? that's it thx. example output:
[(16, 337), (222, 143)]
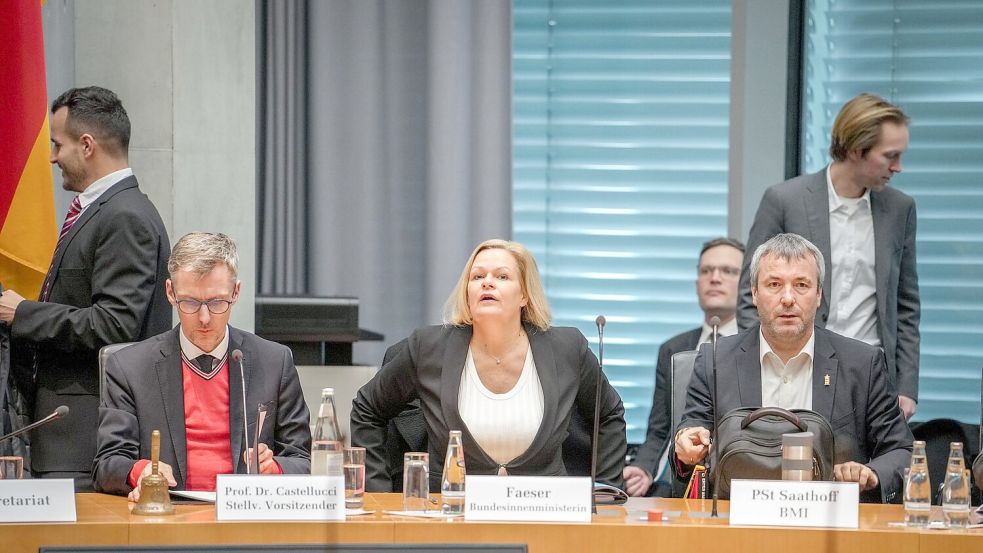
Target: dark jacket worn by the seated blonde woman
[(430, 369)]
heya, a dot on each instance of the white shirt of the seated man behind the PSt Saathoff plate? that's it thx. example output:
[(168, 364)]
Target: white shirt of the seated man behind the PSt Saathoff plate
[(788, 386)]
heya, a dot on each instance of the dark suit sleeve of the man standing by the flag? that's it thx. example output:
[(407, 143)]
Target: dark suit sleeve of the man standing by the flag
[(124, 276)]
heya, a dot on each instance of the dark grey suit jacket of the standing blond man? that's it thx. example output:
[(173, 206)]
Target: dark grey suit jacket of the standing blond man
[(801, 205)]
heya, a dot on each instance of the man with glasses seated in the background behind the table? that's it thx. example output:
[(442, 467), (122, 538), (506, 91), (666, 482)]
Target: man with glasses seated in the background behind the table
[(718, 273)]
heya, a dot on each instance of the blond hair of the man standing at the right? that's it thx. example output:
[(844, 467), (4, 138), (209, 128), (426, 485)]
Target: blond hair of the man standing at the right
[(858, 125)]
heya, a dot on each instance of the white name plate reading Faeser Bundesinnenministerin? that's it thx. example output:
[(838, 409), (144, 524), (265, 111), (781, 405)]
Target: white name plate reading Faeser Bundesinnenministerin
[(528, 498)]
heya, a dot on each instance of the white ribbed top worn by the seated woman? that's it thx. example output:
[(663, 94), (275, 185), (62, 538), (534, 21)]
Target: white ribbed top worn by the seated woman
[(504, 425)]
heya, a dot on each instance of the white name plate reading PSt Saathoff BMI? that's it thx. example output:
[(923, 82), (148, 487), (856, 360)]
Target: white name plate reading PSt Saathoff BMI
[(792, 503)]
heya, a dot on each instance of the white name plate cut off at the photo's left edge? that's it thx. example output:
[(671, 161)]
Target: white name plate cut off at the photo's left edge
[(41, 500)]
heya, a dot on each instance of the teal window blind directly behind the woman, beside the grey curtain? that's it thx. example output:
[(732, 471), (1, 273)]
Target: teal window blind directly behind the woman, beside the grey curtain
[(620, 167)]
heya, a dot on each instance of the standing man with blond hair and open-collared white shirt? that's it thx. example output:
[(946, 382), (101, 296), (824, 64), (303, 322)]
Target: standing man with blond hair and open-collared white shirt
[(866, 232)]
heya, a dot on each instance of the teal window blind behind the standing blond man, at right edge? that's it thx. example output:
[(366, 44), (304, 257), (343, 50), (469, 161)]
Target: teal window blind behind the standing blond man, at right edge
[(927, 57)]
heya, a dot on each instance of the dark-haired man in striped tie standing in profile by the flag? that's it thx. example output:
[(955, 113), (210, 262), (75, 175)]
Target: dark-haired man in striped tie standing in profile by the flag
[(105, 284)]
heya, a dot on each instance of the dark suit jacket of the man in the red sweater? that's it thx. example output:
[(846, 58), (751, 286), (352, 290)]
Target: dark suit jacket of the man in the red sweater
[(145, 392)]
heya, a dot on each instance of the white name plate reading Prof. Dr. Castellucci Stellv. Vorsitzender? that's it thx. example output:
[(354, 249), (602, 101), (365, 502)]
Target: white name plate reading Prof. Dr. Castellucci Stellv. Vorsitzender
[(281, 497)]
